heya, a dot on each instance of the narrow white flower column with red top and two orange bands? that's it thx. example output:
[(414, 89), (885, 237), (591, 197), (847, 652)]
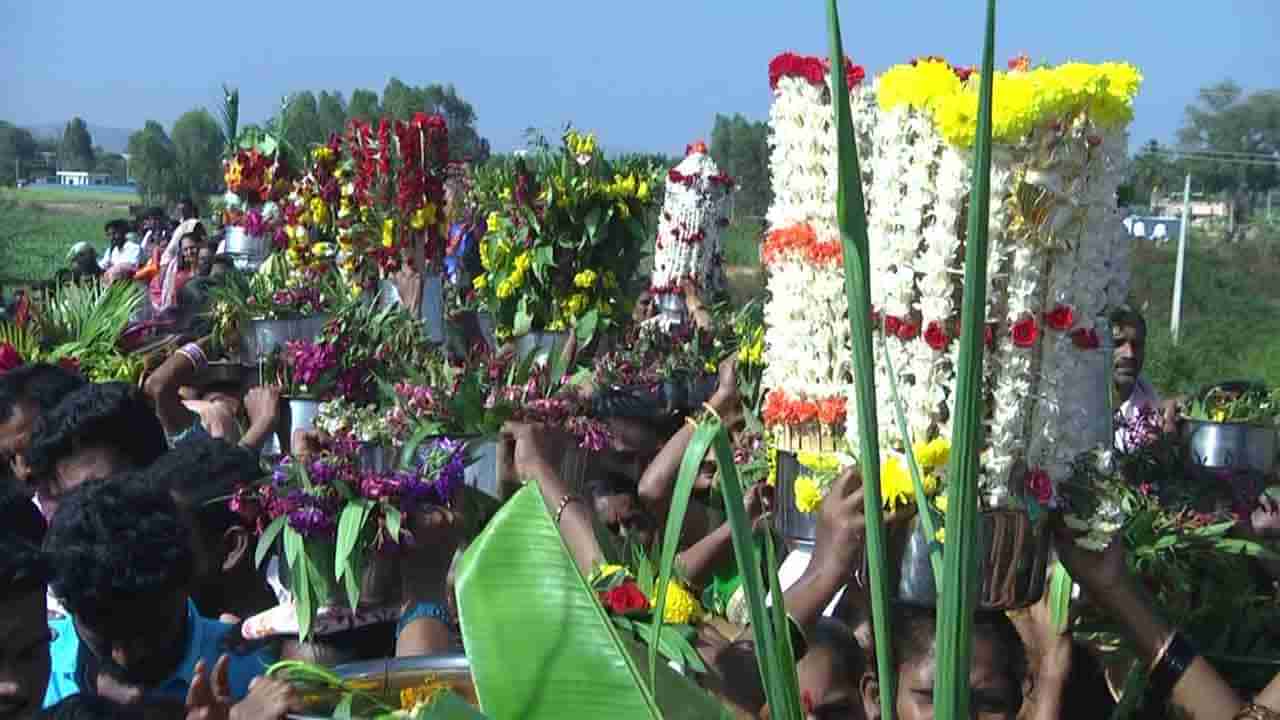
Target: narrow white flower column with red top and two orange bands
[(807, 343)]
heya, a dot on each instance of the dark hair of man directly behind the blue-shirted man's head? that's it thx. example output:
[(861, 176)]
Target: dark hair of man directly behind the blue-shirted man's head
[(98, 414)]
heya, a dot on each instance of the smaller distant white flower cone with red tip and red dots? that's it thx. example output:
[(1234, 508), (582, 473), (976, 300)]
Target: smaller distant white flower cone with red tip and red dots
[(694, 215)]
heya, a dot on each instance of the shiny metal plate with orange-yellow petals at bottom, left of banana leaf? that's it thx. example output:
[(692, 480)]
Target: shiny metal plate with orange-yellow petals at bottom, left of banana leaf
[(387, 678)]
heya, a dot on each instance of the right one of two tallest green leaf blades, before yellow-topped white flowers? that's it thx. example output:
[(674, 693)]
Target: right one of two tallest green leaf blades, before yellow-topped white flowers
[(961, 573)]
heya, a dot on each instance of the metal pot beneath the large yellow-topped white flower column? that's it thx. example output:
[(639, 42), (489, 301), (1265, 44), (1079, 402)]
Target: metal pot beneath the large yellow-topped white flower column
[(1013, 562)]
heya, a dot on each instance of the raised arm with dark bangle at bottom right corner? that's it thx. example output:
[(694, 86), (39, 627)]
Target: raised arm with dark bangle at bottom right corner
[(1197, 690)]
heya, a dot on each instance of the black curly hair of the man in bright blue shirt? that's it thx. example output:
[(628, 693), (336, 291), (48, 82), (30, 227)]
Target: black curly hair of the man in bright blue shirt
[(115, 543)]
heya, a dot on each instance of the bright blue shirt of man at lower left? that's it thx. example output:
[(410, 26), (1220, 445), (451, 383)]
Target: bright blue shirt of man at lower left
[(204, 641)]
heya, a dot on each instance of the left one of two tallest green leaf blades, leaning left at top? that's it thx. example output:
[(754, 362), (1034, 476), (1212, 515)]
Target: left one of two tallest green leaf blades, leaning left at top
[(852, 218)]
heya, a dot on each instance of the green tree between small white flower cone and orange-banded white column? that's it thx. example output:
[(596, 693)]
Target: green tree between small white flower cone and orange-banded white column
[(742, 149)]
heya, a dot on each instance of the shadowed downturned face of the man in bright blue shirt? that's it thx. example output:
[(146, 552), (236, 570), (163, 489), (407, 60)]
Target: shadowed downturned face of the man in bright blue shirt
[(141, 648)]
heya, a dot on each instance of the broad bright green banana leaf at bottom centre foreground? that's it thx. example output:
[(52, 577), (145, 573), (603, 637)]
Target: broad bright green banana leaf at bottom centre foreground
[(541, 644)]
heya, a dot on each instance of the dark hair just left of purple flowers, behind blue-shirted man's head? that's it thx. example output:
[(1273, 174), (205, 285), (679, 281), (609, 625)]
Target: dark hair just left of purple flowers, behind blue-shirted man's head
[(202, 475)]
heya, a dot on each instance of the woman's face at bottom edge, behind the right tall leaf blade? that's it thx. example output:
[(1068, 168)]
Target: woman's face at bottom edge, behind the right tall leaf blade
[(993, 694)]
